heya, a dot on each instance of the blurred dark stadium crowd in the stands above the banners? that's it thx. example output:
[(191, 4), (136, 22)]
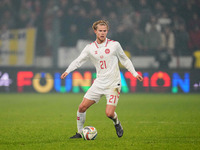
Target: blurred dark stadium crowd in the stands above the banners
[(143, 27)]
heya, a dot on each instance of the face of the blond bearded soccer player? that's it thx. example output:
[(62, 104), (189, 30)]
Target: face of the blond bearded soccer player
[(101, 33)]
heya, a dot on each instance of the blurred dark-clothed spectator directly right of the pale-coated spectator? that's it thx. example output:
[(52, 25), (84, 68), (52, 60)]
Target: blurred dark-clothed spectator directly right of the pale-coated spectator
[(182, 39)]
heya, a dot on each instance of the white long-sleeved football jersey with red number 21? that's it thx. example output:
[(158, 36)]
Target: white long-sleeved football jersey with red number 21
[(105, 57)]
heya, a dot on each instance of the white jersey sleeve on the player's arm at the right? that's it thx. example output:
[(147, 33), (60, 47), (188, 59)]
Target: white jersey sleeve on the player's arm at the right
[(125, 61)]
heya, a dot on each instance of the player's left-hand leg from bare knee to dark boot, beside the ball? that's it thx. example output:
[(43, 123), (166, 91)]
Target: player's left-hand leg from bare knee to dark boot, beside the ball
[(81, 115)]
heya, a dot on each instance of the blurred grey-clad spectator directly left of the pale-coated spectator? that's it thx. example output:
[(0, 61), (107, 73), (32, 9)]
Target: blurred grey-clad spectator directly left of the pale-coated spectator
[(153, 41)]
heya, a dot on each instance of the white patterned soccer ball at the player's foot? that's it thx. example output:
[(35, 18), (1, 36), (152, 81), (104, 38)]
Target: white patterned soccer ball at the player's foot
[(89, 133)]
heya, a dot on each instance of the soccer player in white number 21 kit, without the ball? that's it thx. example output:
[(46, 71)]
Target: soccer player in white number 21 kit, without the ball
[(104, 54)]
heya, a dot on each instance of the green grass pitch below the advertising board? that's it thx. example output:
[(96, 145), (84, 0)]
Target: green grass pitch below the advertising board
[(151, 121)]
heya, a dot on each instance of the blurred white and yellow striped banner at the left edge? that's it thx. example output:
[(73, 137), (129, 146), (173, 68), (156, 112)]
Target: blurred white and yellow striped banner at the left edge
[(17, 47)]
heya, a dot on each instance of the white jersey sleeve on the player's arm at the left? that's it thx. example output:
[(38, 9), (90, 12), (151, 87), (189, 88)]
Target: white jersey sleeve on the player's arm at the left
[(79, 61)]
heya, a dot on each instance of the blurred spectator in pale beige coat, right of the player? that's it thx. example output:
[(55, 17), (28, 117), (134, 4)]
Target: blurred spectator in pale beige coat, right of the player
[(168, 40)]
